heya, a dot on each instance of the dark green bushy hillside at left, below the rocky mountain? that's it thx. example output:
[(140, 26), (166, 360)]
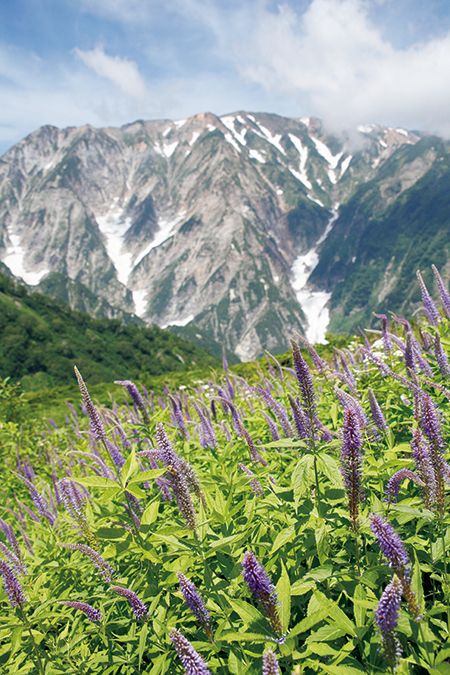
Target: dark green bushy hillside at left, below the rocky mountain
[(42, 339)]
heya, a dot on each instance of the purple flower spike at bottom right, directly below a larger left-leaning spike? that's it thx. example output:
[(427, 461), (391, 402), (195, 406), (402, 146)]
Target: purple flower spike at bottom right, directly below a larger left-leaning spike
[(386, 617)]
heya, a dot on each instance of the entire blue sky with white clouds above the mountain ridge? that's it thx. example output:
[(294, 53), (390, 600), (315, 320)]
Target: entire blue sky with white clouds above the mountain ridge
[(107, 62)]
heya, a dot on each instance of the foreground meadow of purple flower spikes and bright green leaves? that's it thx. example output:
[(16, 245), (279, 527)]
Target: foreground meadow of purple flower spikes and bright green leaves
[(295, 521)]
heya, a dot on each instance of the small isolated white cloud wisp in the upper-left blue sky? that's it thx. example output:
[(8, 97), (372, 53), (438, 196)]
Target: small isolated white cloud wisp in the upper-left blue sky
[(121, 72)]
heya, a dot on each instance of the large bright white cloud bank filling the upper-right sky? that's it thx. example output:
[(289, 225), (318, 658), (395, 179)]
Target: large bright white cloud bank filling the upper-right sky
[(335, 63)]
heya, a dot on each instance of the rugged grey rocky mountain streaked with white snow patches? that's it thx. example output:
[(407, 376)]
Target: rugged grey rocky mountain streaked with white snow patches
[(236, 230)]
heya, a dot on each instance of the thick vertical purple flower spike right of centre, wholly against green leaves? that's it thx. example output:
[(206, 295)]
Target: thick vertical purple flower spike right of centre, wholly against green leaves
[(351, 463)]
